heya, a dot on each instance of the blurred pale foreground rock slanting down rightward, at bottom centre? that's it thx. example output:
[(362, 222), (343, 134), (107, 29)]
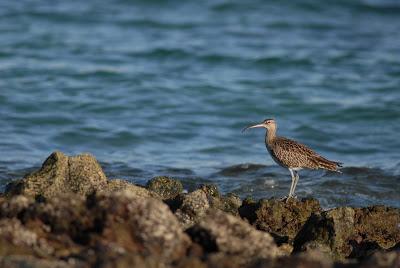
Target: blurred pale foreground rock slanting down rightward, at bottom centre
[(220, 232)]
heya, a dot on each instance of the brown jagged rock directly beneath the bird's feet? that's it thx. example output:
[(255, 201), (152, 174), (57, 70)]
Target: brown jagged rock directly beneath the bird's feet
[(282, 219)]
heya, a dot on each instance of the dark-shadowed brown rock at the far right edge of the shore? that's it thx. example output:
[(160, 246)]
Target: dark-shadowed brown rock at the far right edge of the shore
[(347, 232)]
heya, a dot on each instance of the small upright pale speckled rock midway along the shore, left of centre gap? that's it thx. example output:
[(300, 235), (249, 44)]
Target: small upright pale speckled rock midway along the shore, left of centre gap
[(193, 208)]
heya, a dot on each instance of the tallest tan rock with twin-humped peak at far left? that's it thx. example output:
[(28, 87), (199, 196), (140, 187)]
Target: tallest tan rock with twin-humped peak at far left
[(80, 174)]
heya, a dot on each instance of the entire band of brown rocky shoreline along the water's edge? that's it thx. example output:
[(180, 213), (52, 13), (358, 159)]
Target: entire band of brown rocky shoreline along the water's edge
[(68, 214)]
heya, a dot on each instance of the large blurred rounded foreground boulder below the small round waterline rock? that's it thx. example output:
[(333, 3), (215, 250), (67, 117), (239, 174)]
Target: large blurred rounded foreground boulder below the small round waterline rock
[(140, 225)]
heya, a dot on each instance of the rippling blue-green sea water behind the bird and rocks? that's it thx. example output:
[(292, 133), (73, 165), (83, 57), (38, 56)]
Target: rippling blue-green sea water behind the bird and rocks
[(165, 87)]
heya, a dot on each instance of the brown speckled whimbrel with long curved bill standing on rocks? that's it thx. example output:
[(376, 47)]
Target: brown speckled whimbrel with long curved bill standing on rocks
[(291, 154)]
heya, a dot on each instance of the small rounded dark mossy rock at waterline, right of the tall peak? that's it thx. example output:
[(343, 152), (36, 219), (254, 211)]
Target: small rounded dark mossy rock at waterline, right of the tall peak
[(165, 187)]
